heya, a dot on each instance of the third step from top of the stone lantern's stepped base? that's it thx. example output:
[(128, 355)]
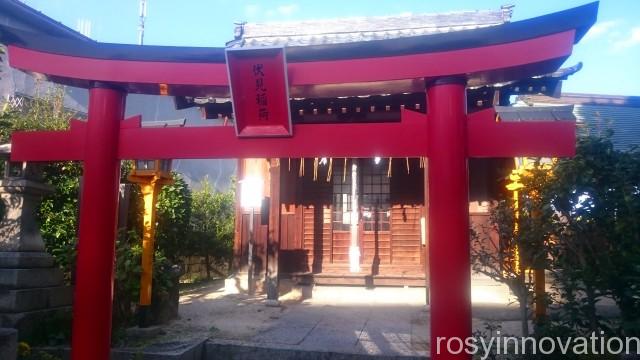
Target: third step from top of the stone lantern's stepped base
[(20, 300)]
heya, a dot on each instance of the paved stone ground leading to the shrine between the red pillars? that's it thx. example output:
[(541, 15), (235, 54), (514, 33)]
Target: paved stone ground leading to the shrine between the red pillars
[(383, 321)]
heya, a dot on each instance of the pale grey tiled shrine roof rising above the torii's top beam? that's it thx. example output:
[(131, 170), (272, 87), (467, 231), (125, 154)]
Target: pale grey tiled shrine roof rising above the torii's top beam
[(345, 30)]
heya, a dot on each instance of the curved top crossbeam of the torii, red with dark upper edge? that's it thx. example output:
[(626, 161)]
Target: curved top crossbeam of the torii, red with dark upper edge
[(485, 56)]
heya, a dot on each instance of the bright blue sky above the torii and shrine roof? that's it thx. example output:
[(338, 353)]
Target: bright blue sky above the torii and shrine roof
[(610, 51)]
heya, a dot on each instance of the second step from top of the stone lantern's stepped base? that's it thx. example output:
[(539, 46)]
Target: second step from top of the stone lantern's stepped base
[(30, 278)]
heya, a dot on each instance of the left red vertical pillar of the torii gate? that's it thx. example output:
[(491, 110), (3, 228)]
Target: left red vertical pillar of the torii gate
[(98, 220)]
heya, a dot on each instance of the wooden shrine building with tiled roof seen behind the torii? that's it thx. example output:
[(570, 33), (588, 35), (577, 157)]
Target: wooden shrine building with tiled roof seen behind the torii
[(317, 194)]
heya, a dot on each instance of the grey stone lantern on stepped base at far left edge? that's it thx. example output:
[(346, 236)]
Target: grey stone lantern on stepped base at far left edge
[(32, 285)]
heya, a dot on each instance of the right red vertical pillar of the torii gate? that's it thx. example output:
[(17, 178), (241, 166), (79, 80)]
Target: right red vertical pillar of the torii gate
[(448, 201)]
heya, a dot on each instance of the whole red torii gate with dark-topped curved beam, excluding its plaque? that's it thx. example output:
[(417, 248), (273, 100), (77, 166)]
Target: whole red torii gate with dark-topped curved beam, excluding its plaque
[(447, 135)]
